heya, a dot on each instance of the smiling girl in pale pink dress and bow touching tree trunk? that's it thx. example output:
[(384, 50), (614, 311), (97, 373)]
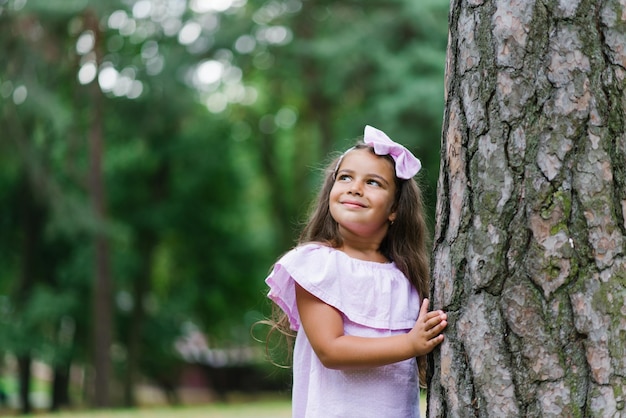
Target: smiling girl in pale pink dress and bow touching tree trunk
[(353, 286)]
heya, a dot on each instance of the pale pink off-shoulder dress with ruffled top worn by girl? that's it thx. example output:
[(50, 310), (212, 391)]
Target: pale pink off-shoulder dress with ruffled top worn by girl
[(375, 300)]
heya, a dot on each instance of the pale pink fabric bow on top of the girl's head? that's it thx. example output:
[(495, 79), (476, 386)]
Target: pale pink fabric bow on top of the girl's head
[(407, 165)]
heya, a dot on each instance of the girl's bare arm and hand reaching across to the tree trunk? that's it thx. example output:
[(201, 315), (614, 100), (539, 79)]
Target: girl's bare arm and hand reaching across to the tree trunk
[(323, 326)]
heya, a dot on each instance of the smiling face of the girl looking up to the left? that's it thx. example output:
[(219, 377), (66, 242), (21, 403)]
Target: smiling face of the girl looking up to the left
[(362, 197)]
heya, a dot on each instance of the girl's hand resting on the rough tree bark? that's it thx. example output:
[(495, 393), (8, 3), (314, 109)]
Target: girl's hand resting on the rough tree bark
[(426, 334)]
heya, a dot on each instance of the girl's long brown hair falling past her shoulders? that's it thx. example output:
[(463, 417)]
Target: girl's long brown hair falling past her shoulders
[(405, 243)]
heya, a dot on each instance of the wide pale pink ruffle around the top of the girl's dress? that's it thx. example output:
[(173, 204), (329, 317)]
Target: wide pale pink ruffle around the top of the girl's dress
[(375, 295)]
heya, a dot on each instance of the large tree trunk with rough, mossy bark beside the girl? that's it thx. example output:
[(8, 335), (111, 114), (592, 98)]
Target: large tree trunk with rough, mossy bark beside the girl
[(529, 243)]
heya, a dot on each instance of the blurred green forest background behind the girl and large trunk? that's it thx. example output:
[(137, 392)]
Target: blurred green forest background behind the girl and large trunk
[(156, 157)]
